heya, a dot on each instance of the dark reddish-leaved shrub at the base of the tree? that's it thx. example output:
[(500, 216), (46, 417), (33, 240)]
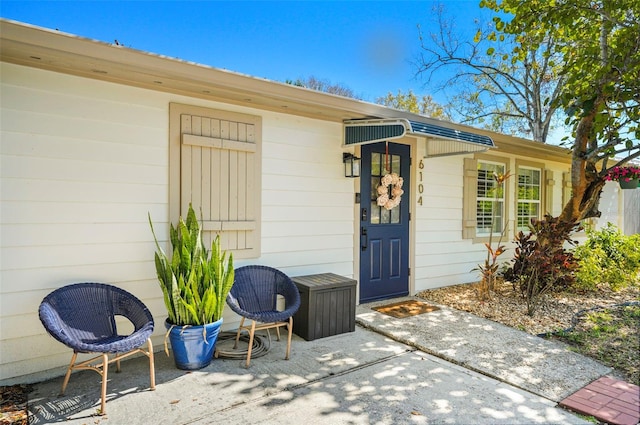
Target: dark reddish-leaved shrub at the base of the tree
[(541, 263)]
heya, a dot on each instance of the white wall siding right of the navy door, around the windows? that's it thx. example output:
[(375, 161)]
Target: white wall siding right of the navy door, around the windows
[(443, 258)]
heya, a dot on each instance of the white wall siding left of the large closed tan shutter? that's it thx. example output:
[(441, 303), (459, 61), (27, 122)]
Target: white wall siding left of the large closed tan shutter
[(81, 164)]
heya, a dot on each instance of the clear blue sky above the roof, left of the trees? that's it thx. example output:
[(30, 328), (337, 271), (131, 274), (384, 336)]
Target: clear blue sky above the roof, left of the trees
[(368, 47)]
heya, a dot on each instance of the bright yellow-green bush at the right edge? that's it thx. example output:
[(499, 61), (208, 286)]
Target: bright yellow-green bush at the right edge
[(608, 257)]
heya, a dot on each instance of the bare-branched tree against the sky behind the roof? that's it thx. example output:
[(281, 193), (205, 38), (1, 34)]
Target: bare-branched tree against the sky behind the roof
[(491, 90)]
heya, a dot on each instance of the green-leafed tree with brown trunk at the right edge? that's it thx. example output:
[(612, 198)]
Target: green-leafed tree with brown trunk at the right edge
[(598, 42)]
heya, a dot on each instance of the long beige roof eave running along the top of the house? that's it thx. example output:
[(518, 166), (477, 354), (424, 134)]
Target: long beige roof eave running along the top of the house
[(32, 46)]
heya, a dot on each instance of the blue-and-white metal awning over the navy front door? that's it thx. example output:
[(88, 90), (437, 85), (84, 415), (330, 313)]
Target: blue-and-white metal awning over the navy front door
[(440, 141)]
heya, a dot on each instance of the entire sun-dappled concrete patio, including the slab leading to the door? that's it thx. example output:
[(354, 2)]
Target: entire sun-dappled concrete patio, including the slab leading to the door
[(383, 373)]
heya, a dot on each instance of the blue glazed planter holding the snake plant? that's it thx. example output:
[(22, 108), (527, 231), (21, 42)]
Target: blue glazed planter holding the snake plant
[(191, 348)]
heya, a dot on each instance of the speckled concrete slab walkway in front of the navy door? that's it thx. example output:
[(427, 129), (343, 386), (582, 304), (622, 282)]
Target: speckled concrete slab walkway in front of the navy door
[(542, 367)]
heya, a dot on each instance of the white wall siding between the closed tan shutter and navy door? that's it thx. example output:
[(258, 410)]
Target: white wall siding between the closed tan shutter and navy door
[(307, 203)]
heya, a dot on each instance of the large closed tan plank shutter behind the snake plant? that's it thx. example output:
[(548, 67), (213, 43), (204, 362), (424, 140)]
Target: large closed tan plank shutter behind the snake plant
[(218, 176)]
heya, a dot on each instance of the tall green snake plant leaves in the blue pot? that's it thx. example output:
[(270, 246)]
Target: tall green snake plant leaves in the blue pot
[(195, 282)]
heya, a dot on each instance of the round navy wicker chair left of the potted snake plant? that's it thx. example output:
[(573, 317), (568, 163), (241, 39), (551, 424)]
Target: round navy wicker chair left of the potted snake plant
[(82, 316)]
